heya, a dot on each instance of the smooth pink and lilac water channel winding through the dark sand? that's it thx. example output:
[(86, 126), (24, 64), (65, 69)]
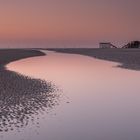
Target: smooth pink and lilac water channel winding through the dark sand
[(104, 100)]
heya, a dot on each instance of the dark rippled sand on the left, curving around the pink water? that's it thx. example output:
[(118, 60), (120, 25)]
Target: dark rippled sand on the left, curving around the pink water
[(21, 97)]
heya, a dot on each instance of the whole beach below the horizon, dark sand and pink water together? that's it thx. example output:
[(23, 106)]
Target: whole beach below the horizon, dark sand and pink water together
[(78, 93)]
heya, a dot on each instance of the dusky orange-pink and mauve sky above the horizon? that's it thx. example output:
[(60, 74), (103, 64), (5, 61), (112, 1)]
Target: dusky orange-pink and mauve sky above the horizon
[(72, 20)]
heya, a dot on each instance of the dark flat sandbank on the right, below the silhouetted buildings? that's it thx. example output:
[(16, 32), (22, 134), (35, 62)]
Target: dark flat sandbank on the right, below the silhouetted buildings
[(128, 58)]
